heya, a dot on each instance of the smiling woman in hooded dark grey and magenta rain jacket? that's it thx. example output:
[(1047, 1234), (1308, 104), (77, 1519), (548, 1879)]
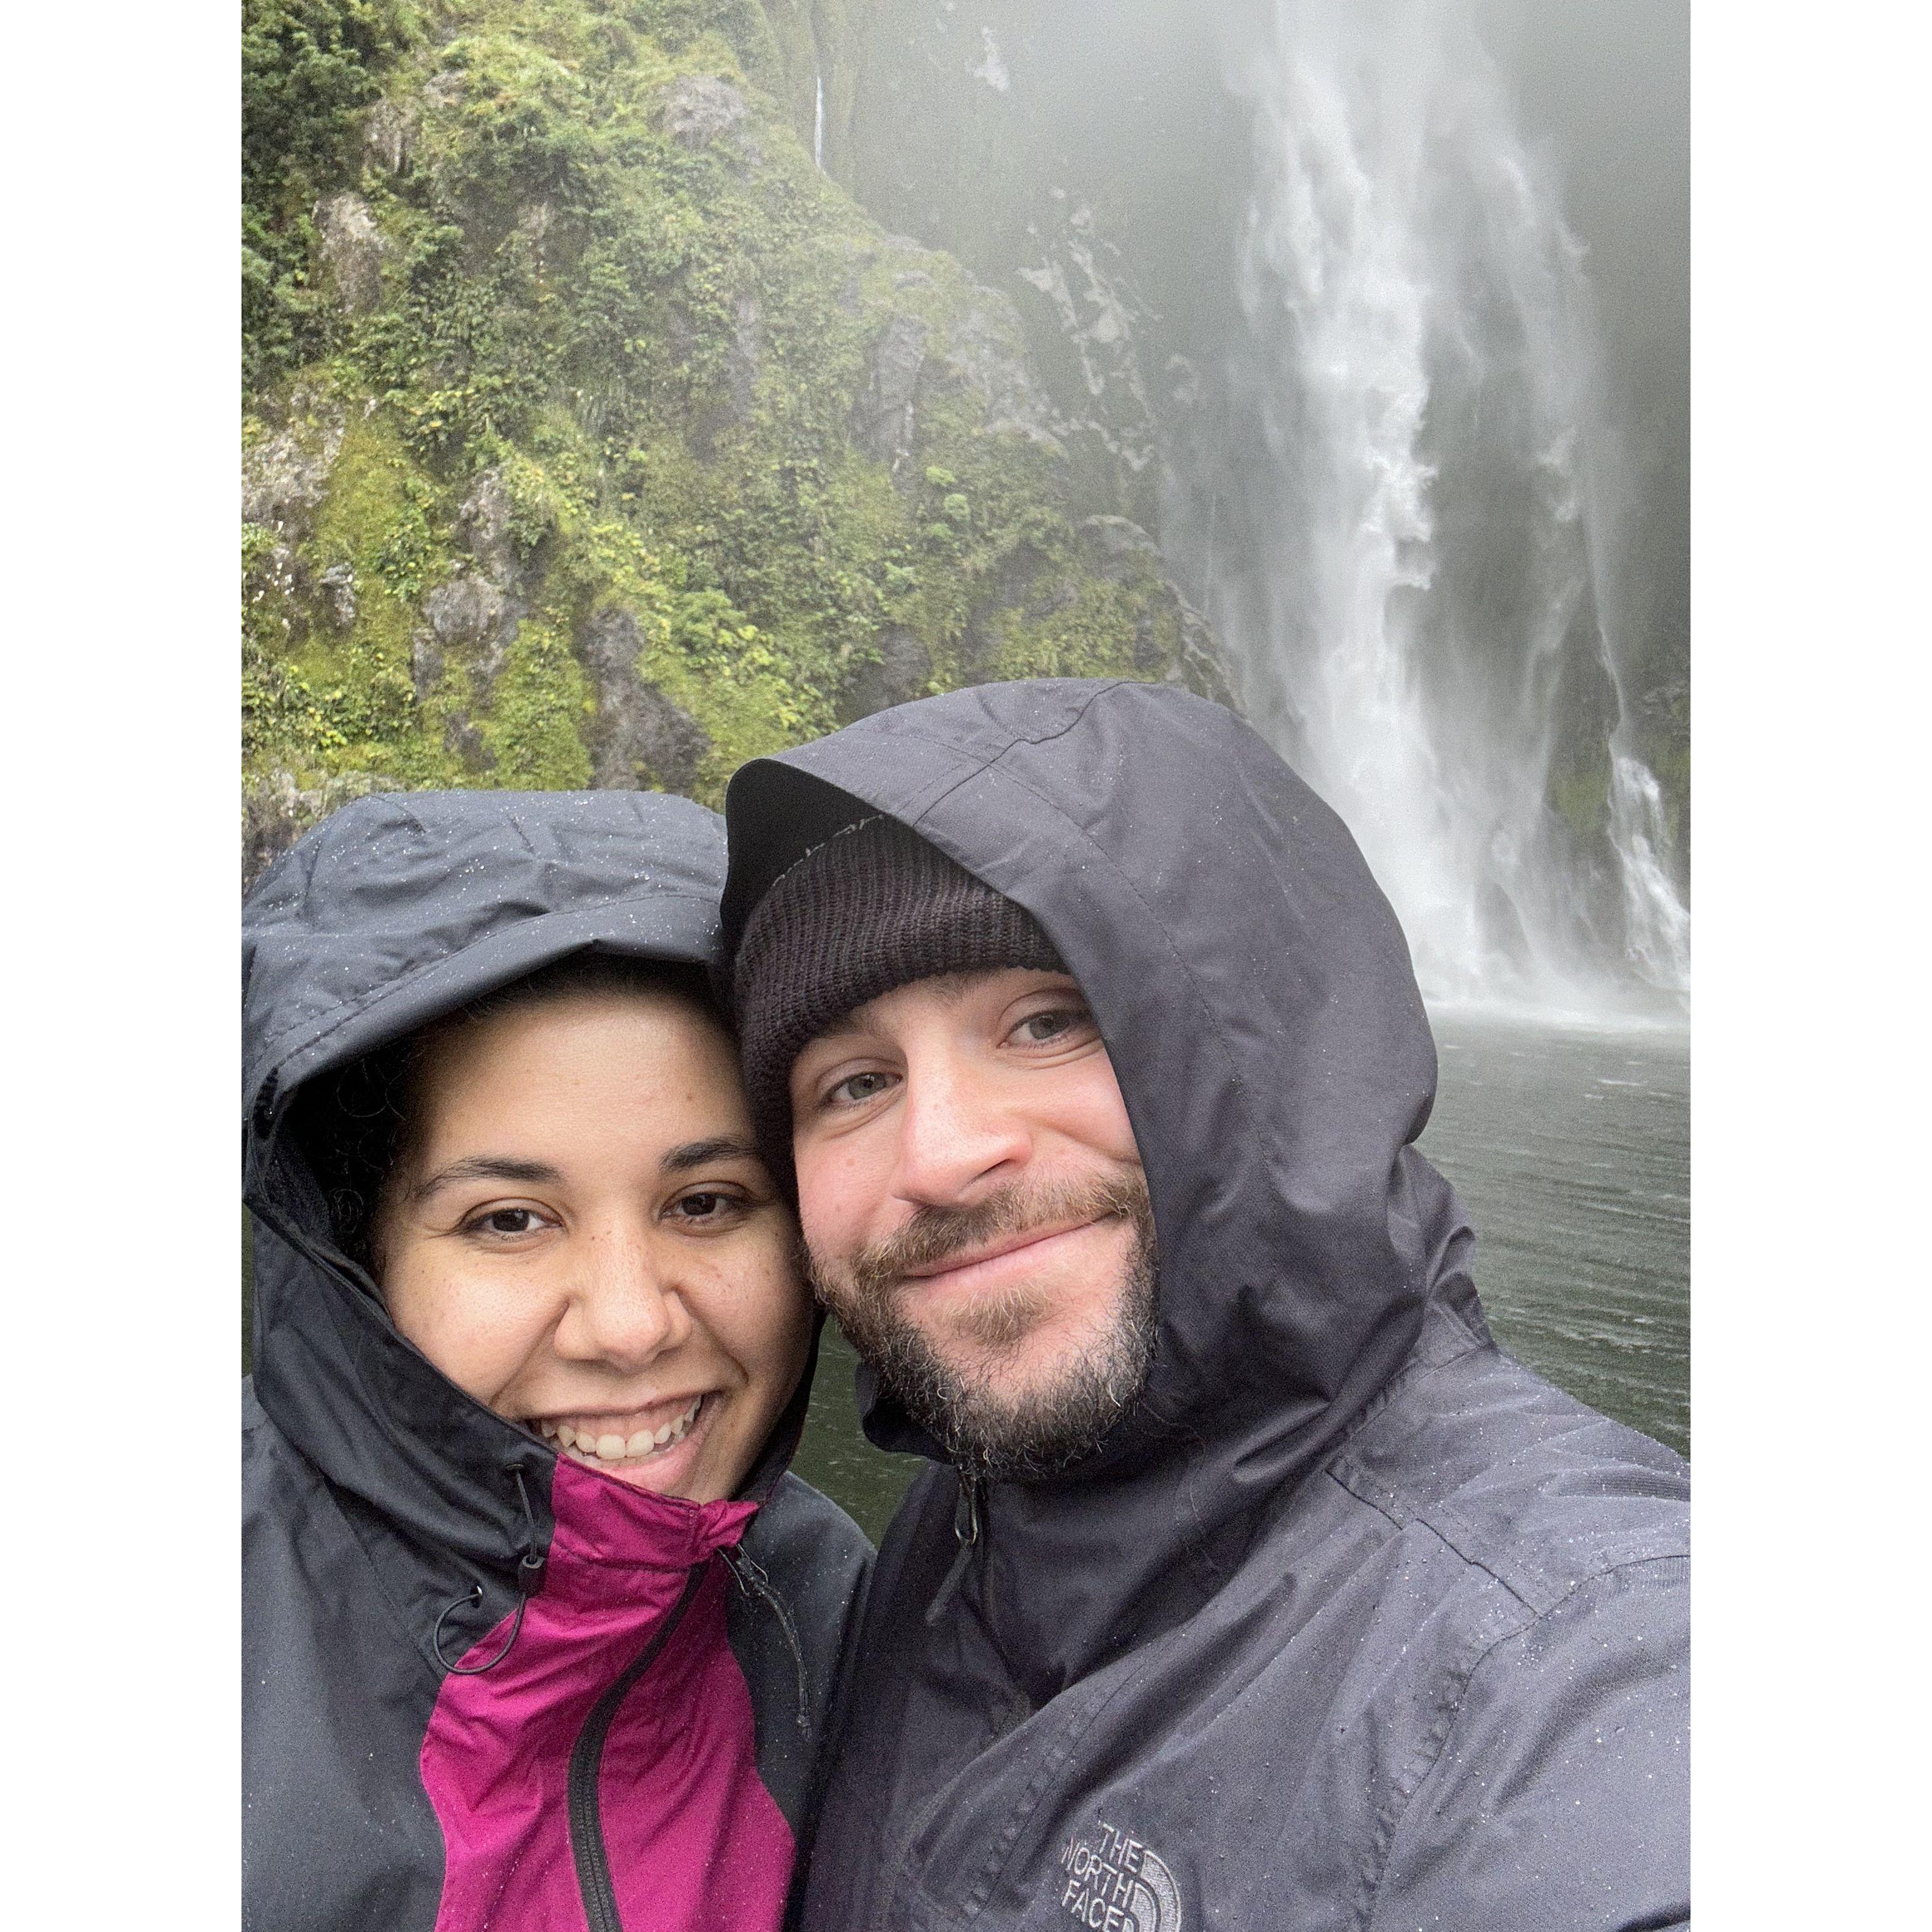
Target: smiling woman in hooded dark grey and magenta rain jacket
[(538, 1630)]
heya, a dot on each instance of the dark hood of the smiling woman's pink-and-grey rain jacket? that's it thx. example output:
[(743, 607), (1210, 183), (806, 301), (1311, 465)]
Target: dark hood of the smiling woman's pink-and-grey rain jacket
[(389, 915)]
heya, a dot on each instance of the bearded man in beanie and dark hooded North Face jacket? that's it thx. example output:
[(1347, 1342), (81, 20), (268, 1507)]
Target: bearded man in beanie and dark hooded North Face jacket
[(1263, 1591)]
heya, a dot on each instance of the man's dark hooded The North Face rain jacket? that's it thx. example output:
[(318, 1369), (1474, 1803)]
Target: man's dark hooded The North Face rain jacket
[(1351, 1622)]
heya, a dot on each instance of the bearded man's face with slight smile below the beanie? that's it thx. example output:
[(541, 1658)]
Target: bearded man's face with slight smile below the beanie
[(977, 1212)]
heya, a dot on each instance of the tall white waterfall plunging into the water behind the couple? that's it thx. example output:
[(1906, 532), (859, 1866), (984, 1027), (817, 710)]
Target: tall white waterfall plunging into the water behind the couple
[(1404, 513)]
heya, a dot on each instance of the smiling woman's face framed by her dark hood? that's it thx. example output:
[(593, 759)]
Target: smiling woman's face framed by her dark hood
[(582, 1237)]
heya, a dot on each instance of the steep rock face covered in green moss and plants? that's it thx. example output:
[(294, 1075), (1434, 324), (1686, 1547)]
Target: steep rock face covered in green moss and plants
[(594, 436)]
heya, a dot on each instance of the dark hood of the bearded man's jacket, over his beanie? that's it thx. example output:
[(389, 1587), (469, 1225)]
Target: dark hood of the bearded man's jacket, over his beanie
[(1264, 1023)]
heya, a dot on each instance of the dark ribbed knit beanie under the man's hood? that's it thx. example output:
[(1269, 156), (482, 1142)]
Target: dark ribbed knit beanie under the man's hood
[(872, 909)]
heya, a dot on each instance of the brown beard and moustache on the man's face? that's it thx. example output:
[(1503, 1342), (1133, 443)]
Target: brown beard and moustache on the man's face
[(984, 1431)]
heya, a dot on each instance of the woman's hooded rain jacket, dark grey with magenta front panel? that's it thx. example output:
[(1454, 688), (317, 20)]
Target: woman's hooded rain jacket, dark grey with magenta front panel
[(395, 1527)]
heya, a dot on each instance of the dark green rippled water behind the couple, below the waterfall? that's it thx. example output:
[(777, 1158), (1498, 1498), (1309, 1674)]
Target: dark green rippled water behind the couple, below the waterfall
[(1572, 1152)]
